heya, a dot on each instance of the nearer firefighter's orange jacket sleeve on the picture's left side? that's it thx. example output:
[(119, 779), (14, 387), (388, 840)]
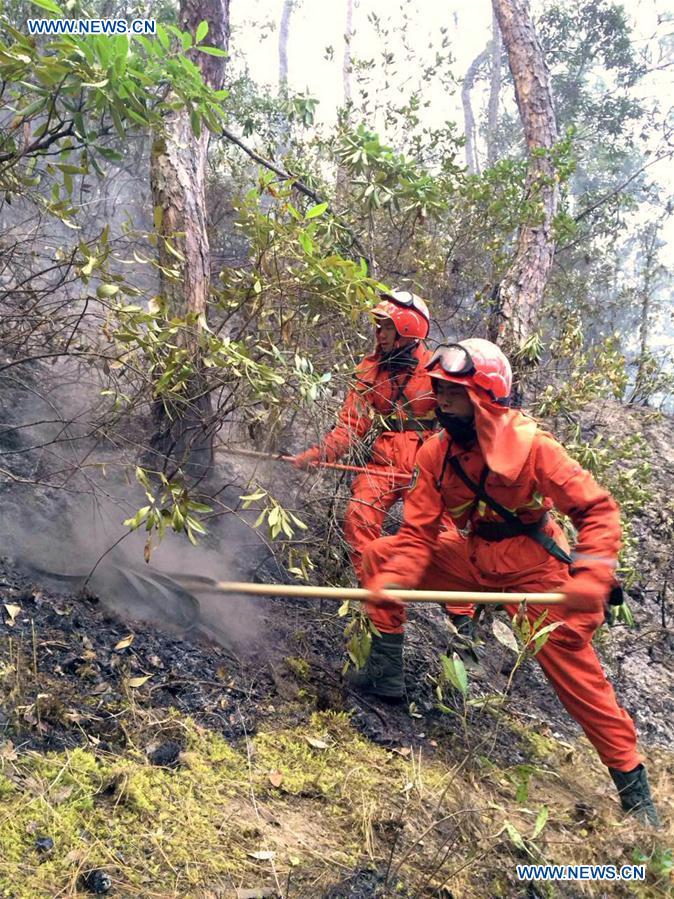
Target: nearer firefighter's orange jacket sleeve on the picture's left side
[(413, 545)]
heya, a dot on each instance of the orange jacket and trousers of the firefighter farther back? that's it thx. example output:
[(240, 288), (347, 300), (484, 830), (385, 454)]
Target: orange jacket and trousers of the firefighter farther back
[(404, 405)]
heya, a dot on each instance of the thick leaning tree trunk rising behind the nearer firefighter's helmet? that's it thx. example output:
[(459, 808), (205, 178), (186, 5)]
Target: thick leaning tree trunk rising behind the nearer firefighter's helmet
[(522, 288)]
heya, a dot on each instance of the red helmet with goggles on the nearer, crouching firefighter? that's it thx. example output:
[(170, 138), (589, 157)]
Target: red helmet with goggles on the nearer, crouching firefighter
[(473, 361)]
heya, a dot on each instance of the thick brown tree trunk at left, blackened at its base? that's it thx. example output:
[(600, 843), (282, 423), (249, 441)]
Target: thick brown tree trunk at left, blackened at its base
[(183, 435)]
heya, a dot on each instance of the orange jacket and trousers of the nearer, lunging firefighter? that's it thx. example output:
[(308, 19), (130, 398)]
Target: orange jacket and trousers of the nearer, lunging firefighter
[(424, 555)]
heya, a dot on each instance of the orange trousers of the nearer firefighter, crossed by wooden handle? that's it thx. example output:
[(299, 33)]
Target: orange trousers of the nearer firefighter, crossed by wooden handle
[(567, 658)]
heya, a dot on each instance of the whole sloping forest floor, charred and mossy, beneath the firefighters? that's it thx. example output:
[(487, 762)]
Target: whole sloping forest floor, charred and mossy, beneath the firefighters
[(177, 765)]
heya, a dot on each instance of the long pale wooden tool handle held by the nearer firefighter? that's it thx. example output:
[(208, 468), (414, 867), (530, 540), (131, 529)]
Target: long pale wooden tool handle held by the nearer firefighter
[(205, 585)]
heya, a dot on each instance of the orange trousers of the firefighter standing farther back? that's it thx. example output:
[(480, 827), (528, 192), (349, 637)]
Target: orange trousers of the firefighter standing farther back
[(371, 499)]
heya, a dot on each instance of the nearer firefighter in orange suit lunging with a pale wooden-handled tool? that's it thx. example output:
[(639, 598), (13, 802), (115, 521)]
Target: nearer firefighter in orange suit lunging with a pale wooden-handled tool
[(499, 475)]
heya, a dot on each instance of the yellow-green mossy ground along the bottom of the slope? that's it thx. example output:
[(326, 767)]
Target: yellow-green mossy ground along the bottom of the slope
[(187, 831)]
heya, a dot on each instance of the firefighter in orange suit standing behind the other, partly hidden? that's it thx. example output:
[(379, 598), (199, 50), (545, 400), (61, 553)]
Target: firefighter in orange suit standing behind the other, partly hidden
[(391, 389)]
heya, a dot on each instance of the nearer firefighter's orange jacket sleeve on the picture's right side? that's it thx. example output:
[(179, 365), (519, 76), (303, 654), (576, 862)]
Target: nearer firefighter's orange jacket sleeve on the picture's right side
[(591, 508)]
